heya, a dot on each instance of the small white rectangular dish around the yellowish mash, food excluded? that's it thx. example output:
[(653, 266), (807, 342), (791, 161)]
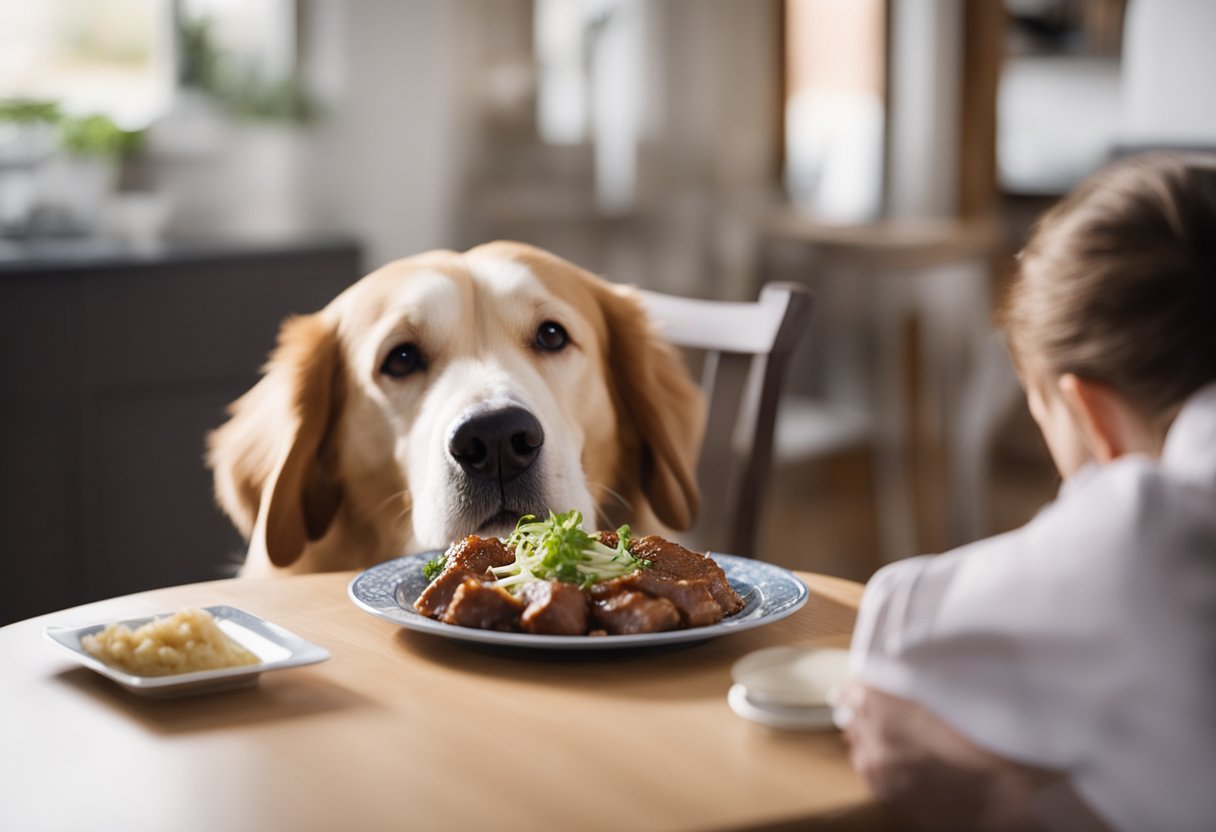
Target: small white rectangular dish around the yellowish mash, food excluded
[(274, 647)]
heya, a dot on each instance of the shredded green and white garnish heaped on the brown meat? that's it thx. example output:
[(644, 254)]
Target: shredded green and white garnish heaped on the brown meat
[(559, 549)]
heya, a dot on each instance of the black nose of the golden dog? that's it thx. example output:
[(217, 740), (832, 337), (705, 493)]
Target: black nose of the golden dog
[(500, 445)]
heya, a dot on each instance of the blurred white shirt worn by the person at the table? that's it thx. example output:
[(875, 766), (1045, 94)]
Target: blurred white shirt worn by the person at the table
[(1084, 642)]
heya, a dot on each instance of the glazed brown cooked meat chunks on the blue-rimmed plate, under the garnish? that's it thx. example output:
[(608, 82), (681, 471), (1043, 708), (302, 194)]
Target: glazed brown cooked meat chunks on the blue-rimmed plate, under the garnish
[(680, 589)]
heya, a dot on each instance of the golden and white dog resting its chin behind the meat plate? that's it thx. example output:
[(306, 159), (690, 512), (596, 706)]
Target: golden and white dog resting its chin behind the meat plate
[(448, 395)]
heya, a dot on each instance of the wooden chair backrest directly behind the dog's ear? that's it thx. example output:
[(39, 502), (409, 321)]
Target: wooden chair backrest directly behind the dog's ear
[(747, 350)]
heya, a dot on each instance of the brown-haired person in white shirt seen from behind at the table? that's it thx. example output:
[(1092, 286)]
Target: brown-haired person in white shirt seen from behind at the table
[(1063, 676)]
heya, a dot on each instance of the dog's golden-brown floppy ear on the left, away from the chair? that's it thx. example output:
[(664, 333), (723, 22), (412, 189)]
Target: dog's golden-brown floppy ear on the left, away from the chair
[(274, 469)]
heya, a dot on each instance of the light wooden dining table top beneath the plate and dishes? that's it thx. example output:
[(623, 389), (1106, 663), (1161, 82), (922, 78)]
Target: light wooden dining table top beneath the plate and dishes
[(408, 730)]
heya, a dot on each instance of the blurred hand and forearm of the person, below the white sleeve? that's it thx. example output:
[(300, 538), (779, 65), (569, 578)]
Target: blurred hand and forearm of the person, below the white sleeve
[(922, 767)]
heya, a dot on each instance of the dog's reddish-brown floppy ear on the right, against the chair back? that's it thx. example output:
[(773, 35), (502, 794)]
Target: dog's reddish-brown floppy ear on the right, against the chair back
[(666, 408)]
